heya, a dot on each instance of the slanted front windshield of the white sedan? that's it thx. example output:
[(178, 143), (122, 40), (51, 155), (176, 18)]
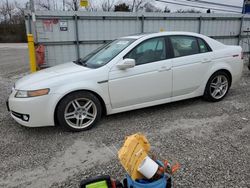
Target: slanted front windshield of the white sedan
[(105, 53)]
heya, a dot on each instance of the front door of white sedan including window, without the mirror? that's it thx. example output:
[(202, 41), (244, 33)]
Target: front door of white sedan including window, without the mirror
[(149, 80)]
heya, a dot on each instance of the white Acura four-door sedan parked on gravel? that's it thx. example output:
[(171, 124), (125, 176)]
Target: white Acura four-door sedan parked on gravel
[(128, 73)]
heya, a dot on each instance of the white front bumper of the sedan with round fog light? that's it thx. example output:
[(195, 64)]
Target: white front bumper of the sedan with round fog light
[(33, 111)]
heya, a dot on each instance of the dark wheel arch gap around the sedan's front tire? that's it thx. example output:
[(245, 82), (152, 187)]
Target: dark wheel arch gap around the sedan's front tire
[(104, 109)]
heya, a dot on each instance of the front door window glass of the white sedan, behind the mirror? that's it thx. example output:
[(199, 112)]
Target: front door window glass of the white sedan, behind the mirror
[(148, 51)]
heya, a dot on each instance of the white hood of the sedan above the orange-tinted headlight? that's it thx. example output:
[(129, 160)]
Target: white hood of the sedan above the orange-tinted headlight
[(49, 73)]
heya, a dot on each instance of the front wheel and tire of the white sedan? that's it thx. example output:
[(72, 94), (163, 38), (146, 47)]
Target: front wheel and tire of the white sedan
[(79, 111)]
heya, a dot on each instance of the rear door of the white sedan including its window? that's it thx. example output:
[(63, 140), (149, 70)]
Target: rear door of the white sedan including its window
[(192, 59)]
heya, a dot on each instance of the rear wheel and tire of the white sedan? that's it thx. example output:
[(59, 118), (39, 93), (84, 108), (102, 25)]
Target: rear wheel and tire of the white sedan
[(217, 86)]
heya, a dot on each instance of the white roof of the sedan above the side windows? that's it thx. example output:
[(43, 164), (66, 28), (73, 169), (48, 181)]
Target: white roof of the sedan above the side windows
[(140, 35)]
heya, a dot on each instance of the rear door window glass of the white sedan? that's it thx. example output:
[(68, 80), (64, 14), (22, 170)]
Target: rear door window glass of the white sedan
[(184, 45)]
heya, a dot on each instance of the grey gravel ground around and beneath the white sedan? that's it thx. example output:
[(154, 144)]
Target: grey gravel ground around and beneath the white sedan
[(211, 141)]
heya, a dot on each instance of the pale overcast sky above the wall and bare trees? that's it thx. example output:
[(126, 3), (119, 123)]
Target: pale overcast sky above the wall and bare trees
[(176, 7)]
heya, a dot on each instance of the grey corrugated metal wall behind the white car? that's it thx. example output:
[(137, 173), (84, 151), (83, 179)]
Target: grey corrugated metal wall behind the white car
[(85, 31)]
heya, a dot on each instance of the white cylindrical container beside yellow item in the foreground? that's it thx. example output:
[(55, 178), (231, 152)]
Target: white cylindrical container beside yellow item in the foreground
[(148, 167)]
